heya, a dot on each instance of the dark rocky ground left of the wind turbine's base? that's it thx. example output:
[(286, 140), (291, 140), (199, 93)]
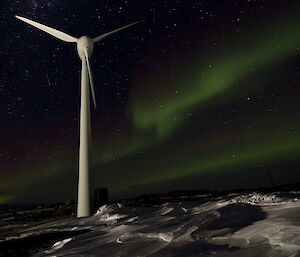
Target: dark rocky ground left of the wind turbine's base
[(14, 219)]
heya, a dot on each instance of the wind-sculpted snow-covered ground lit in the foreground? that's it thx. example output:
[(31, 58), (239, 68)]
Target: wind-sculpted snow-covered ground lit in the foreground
[(234, 225)]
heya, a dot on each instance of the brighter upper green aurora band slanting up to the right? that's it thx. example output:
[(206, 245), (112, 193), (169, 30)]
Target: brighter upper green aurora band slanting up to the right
[(155, 120)]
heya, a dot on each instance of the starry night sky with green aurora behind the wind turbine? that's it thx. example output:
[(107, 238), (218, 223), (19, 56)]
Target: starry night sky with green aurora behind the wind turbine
[(198, 95)]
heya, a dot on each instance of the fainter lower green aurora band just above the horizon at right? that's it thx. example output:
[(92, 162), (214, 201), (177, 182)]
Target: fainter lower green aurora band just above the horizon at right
[(240, 149)]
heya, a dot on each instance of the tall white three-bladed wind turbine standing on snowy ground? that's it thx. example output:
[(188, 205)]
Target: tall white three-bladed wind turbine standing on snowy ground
[(85, 46)]
